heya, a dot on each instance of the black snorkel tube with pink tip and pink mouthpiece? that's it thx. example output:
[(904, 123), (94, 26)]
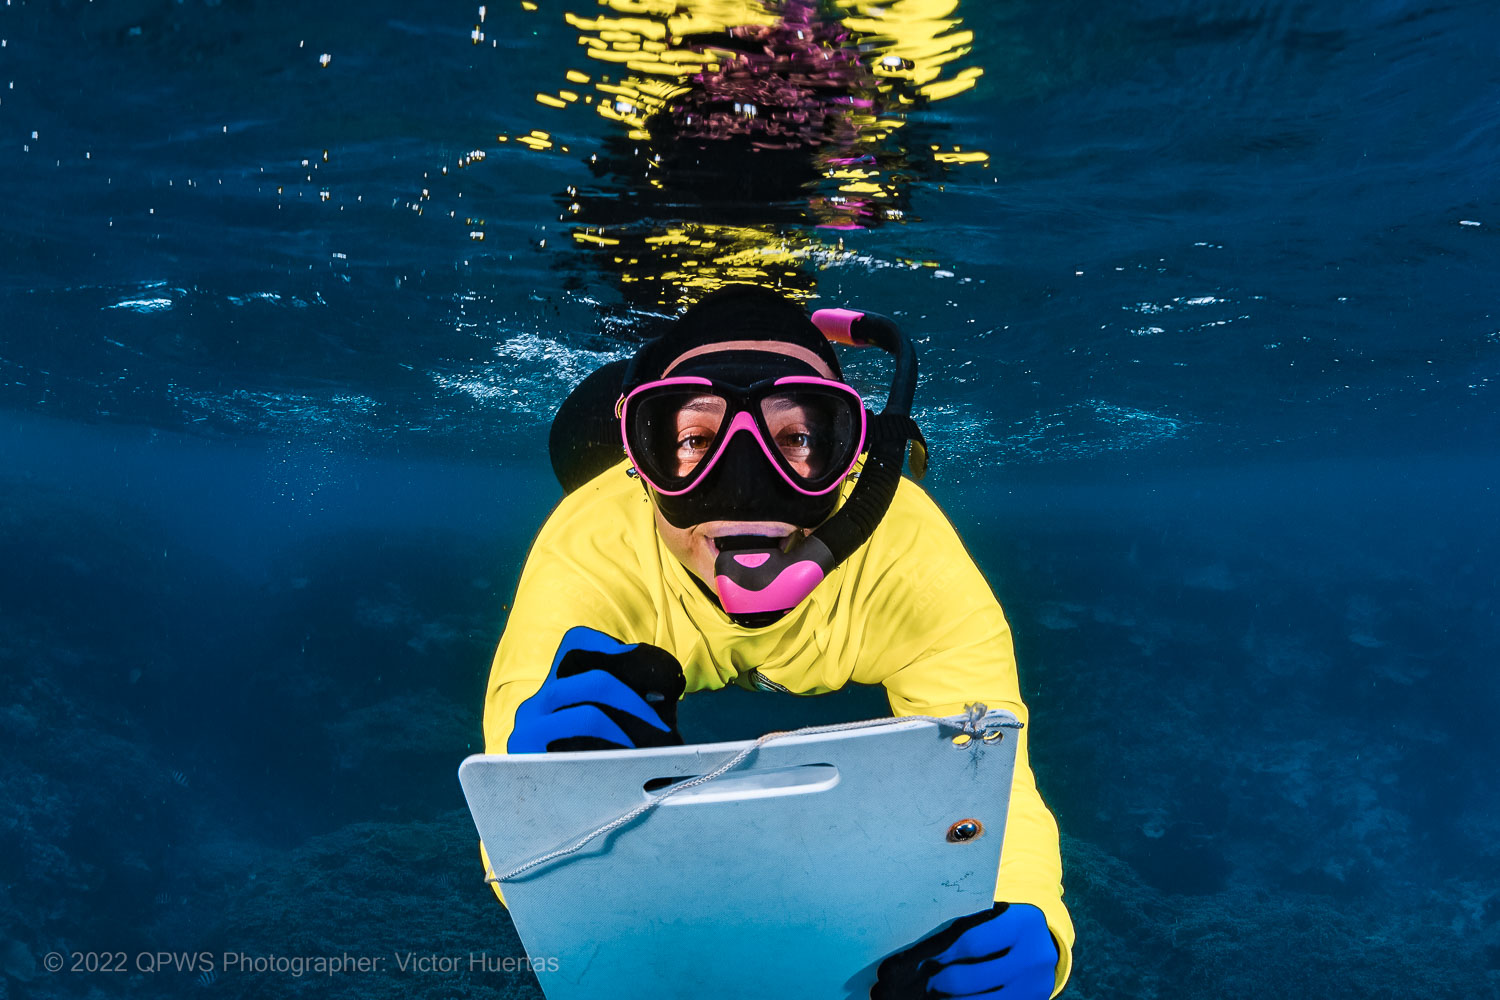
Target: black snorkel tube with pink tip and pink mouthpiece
[(760, 585)]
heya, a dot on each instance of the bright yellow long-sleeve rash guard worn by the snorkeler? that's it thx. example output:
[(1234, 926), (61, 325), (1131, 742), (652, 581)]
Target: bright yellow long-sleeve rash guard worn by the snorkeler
[(908, 611)]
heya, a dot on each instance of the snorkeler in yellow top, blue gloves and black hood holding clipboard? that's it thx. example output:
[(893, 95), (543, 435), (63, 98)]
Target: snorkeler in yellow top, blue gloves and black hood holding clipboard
[(745, 543)]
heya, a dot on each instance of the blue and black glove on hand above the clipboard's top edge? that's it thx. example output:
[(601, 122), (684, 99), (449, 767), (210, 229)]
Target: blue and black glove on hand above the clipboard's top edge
[(602, 695)]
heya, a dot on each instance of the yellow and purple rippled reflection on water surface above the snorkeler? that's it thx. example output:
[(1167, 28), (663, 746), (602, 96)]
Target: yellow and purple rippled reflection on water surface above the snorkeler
[(806, 101)]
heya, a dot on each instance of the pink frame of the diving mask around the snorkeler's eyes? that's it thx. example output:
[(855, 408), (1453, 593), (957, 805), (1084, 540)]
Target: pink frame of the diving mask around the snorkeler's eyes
[(743, 418)]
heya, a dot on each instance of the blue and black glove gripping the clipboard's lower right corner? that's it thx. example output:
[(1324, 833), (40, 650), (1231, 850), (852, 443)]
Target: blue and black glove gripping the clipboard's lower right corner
[(1006, 951)]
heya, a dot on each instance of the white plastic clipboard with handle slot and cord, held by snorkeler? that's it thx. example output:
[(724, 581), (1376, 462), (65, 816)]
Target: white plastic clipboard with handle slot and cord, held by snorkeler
[(788, 878)]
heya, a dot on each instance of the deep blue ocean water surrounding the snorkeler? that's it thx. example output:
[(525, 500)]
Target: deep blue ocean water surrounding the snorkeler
[(1210, 371)]
